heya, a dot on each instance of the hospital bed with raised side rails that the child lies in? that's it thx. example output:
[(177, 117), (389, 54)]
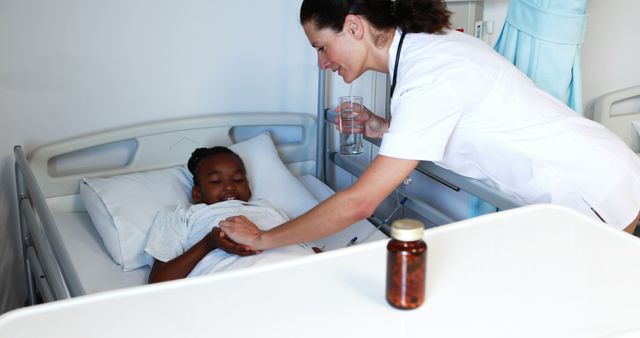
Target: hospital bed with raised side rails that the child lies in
[(65, 252)]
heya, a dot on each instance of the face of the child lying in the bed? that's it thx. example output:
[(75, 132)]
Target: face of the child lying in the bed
[(220, 178)]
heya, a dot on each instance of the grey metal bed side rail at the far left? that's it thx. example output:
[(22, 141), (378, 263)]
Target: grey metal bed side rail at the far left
[(47, 263)]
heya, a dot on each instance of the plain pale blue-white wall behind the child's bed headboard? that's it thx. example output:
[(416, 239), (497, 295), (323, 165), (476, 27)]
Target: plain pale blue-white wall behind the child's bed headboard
[(71, 67)]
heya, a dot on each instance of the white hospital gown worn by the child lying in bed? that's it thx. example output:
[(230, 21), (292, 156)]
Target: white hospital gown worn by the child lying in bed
[(177, 229)]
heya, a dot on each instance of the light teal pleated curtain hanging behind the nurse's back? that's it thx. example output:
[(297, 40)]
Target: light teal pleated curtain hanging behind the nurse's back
[(543, 39)]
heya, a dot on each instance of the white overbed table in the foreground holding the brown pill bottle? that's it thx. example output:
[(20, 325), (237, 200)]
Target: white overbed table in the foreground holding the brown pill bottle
[(537, 271)]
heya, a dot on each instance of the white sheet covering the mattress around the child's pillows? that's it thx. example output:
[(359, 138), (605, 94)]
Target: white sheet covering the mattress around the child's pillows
[(97, 272)]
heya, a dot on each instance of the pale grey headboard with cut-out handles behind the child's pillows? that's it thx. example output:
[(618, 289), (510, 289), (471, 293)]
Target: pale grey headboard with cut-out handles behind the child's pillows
[(59, 166)]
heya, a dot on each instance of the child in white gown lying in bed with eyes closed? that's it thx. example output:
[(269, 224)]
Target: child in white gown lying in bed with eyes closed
[(185, 240)]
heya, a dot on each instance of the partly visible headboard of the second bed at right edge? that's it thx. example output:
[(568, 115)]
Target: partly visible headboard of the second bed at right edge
[(620, 121)]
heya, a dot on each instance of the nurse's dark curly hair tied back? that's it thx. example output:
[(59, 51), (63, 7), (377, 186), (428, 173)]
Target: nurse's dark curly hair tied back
[(411, 16)]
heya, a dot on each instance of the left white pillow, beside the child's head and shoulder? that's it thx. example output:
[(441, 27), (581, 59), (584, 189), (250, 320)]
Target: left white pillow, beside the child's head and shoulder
[(122, 208)]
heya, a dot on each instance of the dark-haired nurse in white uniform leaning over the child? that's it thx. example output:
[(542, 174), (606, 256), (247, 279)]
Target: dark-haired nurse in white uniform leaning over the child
[(458, 103)]
